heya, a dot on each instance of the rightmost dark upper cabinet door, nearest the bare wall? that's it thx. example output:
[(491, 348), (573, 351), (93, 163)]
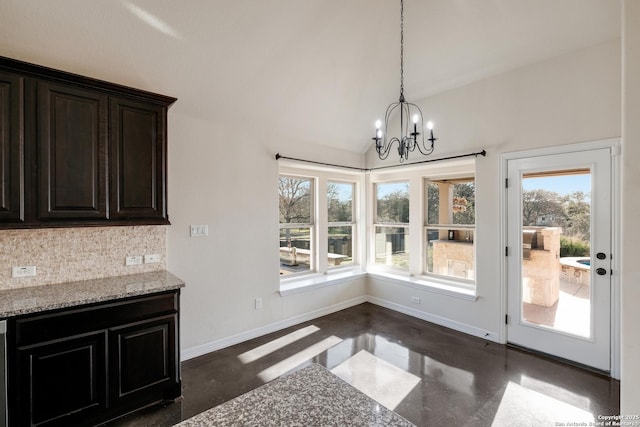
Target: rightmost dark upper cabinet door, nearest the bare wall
[(138, 160)]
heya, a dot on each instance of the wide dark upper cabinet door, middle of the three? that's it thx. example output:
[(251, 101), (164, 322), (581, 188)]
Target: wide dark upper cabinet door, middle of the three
[(71, 152)]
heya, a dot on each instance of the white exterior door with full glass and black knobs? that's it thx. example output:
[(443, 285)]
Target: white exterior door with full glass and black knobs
[(559, 255)]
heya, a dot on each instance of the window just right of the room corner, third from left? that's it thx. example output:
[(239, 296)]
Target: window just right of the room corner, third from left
[(392, 225)]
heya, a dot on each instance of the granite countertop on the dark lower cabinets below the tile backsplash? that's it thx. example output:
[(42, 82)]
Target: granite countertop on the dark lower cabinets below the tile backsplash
[(33, 299)]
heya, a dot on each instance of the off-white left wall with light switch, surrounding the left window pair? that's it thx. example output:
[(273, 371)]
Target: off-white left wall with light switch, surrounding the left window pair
[(227, 178)]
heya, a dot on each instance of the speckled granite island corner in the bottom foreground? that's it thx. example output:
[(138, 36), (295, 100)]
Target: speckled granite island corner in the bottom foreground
[(311, 396)]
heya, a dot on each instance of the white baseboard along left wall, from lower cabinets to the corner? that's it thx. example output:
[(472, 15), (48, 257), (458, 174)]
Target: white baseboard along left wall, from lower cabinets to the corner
[(199, 350)]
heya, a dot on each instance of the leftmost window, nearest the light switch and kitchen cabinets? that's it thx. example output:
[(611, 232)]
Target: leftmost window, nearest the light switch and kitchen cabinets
[(296, 224)]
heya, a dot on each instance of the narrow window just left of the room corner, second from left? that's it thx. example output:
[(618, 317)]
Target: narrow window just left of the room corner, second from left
[(341, 224)]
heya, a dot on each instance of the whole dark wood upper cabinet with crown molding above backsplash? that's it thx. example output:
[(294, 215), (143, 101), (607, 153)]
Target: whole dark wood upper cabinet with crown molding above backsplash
[(76, 151)]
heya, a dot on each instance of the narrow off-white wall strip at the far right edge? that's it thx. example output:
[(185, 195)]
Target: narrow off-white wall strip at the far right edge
[(630, 277)]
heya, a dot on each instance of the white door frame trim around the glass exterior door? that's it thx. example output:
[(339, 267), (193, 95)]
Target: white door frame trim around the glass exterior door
[(614, 145)]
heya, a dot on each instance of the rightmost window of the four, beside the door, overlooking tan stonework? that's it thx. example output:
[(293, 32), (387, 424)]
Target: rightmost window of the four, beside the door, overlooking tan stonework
[(450, 228)]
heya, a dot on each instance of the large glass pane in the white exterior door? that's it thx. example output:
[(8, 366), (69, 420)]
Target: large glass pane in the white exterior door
[(556, 223)]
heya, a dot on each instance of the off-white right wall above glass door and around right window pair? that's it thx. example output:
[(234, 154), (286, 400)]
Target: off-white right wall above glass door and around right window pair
[(569, 99)]
